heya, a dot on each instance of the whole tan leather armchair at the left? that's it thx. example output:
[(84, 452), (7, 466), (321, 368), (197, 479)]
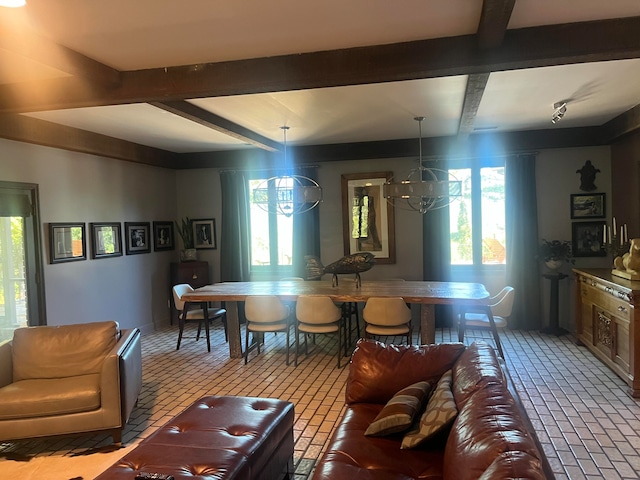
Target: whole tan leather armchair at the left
[(69, 379)]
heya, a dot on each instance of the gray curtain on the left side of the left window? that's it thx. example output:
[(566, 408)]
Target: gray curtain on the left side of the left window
[(235, 243)]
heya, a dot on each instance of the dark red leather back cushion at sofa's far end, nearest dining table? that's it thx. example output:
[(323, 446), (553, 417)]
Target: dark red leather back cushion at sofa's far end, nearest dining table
[(378, 371)]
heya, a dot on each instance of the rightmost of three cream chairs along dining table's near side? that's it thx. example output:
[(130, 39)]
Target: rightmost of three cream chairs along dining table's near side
[(387, 316)]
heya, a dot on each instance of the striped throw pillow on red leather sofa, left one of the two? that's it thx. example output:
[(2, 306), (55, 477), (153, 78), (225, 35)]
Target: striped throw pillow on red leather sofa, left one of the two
[(399, 412)]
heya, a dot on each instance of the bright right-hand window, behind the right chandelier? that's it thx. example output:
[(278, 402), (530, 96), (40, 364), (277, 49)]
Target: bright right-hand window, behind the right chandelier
[(477, 220)]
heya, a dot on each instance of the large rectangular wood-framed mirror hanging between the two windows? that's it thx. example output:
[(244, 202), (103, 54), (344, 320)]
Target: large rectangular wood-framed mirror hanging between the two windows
[(367, 218)]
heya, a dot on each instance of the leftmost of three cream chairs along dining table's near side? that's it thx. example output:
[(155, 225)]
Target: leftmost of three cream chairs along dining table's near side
[(265, 313)]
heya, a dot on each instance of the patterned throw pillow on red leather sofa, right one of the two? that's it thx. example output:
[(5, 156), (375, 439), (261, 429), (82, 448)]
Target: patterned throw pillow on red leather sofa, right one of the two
[(440, 412)]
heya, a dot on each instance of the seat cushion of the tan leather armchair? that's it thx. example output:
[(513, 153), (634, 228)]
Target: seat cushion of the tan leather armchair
[(46, 397)]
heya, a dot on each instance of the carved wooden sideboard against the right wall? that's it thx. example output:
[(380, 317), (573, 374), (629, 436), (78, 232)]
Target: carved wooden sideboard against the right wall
[(608, 322)]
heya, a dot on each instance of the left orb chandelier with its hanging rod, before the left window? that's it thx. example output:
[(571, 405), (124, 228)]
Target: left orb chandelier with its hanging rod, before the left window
[(287, 194)]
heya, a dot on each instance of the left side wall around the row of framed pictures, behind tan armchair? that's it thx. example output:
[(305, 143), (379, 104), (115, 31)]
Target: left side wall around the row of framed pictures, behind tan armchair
[(75, 187)]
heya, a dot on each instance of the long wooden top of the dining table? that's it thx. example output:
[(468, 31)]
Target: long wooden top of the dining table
[(346, 291)]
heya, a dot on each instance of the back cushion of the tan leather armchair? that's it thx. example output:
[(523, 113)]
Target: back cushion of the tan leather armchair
[(61, 351)]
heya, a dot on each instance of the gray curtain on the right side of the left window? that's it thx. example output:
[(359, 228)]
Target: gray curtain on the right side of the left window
[(306, 230)]
